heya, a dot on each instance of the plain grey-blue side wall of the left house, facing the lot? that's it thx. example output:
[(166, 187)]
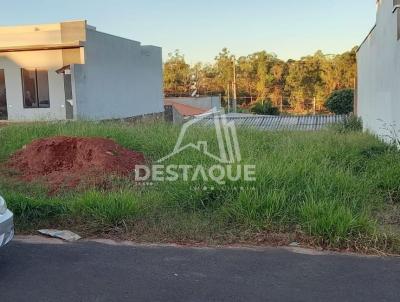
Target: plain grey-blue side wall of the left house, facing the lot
[(120, 78)]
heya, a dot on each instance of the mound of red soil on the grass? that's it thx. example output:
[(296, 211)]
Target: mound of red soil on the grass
[(67, 162)]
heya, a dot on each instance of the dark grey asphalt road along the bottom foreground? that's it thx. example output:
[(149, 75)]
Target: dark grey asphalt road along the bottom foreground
[(90, 271)]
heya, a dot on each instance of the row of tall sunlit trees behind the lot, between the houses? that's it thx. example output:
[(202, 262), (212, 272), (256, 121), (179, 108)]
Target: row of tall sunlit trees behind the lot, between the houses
[(295, 85)]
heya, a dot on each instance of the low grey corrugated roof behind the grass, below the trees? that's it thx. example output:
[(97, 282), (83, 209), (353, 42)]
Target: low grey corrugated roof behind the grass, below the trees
[(267, 122)]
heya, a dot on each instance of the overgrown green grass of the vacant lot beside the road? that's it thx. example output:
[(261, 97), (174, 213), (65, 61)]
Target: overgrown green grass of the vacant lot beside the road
[(322, 188)]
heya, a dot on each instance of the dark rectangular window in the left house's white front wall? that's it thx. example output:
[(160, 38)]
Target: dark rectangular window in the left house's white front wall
[(35, 83)]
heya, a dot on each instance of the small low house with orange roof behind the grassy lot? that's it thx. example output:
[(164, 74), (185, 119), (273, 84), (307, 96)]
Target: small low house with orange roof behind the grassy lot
[(181, 108)]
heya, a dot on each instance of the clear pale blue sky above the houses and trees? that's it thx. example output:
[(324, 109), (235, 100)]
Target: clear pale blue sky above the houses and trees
[(201, 28)]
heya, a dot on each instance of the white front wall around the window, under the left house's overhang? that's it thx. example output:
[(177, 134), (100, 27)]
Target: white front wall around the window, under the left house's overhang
[(12, 64)]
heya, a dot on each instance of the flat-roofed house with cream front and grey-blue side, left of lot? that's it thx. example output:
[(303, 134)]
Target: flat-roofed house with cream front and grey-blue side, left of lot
[(70, 70)]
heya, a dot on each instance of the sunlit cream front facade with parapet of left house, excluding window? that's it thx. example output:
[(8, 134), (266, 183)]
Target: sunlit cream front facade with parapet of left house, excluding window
[(48, 48)]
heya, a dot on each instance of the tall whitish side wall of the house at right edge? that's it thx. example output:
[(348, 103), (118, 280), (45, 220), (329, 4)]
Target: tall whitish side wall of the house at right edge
[(378, 87)]
